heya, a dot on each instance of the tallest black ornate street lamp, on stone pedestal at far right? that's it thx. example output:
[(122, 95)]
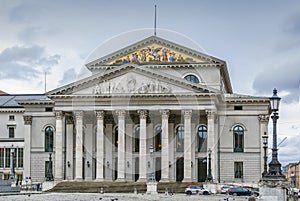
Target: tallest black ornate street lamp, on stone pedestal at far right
[(274, 165)]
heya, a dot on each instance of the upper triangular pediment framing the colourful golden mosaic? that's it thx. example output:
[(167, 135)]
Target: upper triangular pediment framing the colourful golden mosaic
[(153, 50)]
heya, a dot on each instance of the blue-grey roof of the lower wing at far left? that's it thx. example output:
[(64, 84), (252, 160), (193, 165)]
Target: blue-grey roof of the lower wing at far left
[(8, 101)]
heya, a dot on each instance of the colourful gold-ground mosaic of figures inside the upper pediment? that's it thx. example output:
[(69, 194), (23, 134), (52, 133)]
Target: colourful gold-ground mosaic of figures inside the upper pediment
[(155, 54)]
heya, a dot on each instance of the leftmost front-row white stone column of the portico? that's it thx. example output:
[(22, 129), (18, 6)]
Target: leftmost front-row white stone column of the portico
[(58, 173)]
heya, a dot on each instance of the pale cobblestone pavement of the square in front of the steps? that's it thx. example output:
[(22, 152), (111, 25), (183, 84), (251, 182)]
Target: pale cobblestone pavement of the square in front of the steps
[(117, 197)]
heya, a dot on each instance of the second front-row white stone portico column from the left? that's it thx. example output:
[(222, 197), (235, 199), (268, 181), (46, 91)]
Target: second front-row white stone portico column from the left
[(79, 143)]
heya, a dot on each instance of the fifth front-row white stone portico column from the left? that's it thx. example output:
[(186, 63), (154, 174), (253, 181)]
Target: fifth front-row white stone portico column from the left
[(143, 146)]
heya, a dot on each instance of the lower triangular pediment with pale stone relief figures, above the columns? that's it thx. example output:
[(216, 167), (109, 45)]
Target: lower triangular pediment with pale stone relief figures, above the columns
[(131, 79)]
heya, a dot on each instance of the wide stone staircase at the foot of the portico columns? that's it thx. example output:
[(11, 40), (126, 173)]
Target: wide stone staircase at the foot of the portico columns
[(116, 187)]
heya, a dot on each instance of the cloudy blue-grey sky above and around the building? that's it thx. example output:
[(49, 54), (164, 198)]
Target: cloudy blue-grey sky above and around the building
[(259, 40)]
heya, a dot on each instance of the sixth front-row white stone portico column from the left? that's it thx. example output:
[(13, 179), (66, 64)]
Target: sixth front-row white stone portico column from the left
[(165, 158)]
